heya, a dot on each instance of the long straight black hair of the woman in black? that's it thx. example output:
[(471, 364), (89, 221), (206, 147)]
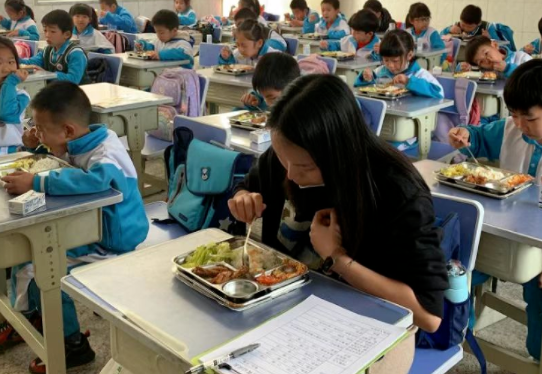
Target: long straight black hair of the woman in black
[(320, 114)]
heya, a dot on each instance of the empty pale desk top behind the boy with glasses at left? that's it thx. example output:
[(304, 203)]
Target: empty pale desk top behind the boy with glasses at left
[(107, 98)]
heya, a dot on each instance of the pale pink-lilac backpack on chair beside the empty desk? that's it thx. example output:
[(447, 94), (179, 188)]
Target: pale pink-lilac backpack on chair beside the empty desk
[(183, 86)]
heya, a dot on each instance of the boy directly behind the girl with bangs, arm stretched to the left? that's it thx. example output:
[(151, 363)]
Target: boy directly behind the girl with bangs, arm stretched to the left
[(363, 38)]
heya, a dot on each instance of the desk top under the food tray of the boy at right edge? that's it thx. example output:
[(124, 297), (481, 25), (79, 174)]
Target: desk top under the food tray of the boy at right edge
[(516, 218)]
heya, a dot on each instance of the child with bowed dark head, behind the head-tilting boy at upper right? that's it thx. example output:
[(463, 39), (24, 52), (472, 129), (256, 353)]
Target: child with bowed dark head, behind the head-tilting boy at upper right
[(471, 24)]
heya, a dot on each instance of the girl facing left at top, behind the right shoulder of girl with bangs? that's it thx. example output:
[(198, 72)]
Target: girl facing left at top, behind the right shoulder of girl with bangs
[(419, 18)]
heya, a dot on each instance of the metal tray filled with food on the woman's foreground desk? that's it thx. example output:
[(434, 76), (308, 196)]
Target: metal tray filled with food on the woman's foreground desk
[(219, 268)]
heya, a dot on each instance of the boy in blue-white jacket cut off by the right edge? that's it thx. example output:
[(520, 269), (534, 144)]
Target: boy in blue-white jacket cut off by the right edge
[(516, 142)]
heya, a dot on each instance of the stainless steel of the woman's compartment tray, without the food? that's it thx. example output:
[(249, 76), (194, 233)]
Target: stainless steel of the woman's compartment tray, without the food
[(260, 292)]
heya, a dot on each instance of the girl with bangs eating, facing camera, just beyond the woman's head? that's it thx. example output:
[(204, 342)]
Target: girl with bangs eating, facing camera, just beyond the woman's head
[(397, 52)]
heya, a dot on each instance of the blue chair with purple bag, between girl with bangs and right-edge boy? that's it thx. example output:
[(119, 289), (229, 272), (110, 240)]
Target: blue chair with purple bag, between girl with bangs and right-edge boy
[(442, 151)]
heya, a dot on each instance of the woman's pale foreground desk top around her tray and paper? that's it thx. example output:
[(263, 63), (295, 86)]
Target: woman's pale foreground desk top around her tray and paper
[(168, 305)]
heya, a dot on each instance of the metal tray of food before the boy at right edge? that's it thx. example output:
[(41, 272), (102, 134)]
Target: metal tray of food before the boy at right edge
[(486, 180)]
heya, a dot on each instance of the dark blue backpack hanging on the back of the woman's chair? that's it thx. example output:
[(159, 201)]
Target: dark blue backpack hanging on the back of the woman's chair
[(454, 328)]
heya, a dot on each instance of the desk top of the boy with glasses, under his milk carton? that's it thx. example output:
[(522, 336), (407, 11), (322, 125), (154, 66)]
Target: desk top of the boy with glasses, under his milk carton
[(56, 207)]
